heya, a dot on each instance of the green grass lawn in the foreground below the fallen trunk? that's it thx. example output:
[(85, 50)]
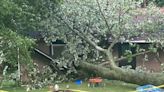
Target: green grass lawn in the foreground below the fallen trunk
[(111, 86)]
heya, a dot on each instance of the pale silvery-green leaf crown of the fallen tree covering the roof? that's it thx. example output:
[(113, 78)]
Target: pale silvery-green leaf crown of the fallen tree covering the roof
[(100, 21)]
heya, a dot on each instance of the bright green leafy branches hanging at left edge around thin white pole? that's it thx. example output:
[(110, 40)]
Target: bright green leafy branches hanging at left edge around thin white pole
[(10, 42)]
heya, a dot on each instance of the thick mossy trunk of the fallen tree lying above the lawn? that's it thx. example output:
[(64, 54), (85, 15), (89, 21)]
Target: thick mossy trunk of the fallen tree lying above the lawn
[(127, 75)]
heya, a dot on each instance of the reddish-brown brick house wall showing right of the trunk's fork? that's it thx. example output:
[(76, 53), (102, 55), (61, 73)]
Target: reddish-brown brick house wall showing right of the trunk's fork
[(153, 64)]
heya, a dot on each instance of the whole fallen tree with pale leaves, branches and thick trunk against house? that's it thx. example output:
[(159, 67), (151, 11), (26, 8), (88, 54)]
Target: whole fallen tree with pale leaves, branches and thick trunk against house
[(84, 24)]
